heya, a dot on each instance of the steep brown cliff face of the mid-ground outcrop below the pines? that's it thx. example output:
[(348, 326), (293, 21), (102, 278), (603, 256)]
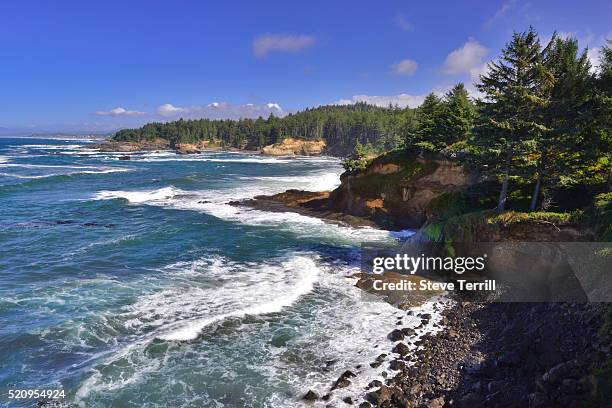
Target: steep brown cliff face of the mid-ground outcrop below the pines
[(398, 188)]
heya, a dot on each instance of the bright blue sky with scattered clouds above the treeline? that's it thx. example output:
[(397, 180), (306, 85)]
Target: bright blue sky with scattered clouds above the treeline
[(101, 65)]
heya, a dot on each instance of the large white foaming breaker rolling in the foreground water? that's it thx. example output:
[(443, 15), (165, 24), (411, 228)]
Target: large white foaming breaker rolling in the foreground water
[(181, 312)]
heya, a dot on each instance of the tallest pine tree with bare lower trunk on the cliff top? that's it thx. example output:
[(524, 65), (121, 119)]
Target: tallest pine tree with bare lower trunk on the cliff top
[(515, 91)]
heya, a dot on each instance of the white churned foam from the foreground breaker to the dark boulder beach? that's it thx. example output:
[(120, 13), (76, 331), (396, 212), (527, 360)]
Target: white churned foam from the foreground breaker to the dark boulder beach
[(335, 323)]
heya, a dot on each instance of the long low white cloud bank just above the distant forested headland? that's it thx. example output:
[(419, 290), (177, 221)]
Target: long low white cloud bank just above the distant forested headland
[(220, 110)]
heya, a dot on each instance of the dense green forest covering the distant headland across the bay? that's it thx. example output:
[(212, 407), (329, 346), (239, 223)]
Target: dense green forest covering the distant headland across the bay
[(340, 126)]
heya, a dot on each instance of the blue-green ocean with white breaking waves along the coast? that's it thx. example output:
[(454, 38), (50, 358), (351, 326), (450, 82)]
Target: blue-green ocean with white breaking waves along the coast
[(134, 283)]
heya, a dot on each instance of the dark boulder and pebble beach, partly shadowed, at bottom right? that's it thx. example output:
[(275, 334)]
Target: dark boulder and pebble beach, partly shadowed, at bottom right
[(489, 355)]
